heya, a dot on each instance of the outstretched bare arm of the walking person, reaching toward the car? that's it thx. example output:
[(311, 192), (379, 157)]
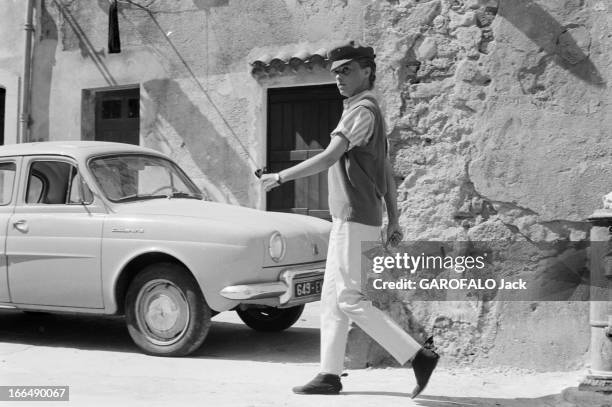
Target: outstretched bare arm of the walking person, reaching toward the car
[(320, 162)]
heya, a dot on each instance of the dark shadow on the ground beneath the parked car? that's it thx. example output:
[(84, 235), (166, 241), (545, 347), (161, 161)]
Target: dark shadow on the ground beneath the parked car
[(226, 340)]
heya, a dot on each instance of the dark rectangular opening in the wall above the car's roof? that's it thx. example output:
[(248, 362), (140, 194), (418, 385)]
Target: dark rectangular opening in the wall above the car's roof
[(118, 116)]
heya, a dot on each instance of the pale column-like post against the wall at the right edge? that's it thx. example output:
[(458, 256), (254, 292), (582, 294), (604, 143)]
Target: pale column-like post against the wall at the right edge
[(599, 378)]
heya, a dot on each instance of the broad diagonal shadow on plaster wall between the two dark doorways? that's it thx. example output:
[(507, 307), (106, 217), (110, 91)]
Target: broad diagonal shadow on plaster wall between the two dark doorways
[(210, 151)]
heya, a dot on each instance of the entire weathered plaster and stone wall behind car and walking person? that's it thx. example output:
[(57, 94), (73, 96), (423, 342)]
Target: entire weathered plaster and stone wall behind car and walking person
[(498, 113)]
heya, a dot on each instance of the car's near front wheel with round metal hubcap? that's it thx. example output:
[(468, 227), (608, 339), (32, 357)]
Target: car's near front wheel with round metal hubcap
[(166, 313)]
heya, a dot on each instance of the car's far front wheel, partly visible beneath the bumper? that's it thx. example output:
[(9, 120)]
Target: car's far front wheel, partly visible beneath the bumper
[(270, 319)]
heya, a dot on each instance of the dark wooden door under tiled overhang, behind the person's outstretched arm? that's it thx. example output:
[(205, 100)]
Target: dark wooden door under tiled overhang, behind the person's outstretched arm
[(299, 123)]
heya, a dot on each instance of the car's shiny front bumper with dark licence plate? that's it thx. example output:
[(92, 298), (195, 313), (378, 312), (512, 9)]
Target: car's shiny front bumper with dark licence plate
[(286, 291)]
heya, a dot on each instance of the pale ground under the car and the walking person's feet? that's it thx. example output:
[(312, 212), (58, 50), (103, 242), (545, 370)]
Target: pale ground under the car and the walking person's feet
[(235, 367)]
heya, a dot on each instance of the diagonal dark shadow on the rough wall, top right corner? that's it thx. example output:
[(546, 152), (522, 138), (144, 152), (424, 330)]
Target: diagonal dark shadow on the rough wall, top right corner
[(569, 44)]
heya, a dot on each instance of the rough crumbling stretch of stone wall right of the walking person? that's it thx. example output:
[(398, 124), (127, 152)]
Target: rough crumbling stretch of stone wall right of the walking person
[(499, 116)]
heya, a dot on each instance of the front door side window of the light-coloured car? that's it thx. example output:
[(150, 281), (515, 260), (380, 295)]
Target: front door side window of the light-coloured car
[(55, 183)]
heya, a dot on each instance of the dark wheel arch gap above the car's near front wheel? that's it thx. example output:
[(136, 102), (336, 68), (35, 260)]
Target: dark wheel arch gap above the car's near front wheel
[(134, 266)]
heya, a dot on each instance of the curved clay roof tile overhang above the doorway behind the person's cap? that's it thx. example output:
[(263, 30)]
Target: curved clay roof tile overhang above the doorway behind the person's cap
[(292, 58)]
